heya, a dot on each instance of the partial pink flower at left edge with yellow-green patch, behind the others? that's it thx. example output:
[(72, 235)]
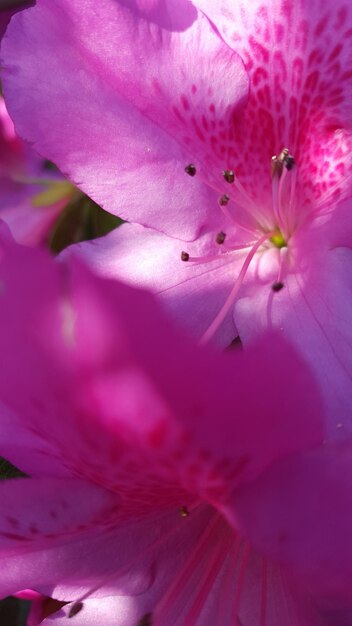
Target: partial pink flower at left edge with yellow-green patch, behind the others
[(31, 198)]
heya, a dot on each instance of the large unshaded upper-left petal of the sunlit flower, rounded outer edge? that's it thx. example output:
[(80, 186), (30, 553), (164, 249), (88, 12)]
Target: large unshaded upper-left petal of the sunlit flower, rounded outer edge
[(128, 98)]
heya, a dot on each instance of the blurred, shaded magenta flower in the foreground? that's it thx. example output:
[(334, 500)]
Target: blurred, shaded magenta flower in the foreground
[(137, 441)]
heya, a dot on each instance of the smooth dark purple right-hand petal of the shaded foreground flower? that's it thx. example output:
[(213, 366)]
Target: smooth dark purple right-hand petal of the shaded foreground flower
[(299, 513)]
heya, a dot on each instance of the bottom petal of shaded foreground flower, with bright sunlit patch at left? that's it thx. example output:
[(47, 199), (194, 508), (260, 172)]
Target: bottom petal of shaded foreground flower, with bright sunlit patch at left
[(208, 594)]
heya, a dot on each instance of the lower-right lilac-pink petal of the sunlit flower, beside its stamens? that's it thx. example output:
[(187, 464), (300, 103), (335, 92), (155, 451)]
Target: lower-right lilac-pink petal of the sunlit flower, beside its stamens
[(312, 311)]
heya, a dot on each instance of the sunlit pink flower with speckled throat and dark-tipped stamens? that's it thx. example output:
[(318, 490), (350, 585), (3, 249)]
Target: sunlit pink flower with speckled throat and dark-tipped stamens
[(157, 90)]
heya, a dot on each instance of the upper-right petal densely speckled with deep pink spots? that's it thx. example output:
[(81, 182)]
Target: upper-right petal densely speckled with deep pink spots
[(298, 56)]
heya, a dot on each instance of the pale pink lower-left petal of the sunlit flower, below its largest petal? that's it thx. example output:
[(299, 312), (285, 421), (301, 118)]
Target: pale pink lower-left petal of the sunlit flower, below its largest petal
[(191, 292)]
